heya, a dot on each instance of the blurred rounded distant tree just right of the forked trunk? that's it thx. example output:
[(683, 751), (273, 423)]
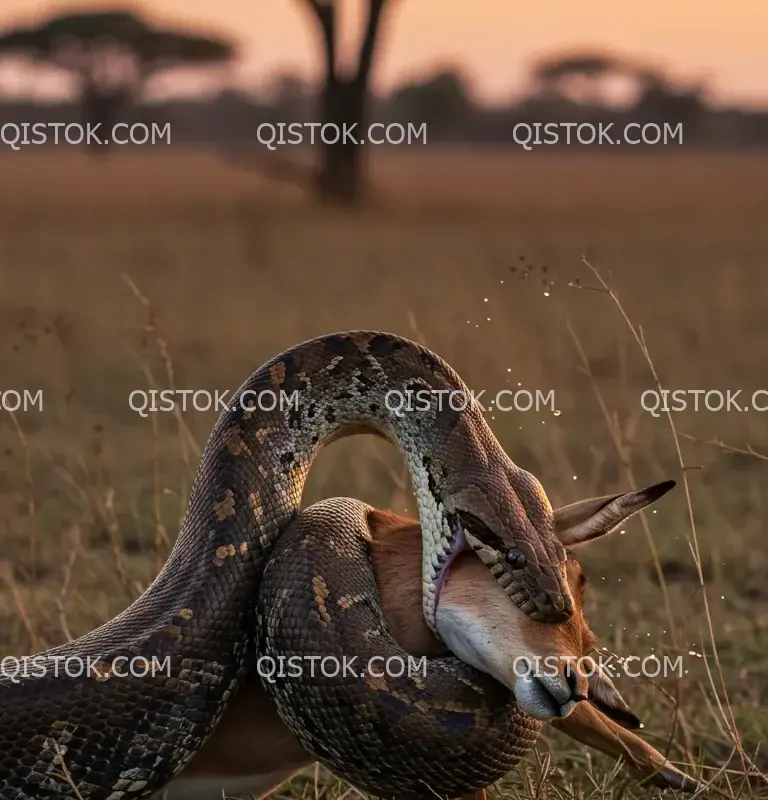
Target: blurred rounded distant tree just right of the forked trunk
[(443, 101)]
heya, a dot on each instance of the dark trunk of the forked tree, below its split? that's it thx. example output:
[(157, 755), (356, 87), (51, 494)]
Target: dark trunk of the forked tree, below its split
[(341, 177)]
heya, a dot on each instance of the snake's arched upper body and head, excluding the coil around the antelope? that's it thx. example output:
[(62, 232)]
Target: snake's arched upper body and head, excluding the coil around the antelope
[(126, 737)]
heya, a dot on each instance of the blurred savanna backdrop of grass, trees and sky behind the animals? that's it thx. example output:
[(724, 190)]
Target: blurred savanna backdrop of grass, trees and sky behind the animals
[(188, 263)]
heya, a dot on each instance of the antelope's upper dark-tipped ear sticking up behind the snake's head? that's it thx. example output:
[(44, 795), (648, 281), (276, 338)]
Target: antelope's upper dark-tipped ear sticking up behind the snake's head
[(585, 520)]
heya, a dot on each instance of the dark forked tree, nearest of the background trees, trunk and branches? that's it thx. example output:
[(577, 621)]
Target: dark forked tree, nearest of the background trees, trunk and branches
[(344, 102)]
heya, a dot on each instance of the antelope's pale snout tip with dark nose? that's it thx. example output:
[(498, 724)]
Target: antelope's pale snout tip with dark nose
[(550, 691)]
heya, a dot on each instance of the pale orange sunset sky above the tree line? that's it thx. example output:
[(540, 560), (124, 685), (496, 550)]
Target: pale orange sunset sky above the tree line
[(494, 40)]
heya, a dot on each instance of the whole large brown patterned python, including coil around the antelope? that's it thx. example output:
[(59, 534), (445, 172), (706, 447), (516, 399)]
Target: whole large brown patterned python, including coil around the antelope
[(213, 610)]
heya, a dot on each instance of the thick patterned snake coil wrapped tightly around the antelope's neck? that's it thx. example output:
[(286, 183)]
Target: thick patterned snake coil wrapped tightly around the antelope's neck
[(394, 727)]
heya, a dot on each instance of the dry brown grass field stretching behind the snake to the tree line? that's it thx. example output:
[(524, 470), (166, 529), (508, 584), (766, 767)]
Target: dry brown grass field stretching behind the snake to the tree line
[(481, 257)]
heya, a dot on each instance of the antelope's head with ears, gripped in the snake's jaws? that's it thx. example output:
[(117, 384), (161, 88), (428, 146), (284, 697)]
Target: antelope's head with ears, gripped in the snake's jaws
[(544, 664)]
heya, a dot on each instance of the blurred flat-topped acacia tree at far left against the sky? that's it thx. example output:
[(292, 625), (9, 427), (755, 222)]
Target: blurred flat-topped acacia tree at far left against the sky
[(112, 55)]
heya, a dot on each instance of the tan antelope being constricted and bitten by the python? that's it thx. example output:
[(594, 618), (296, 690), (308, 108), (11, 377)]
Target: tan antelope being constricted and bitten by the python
[(251, 752)]
